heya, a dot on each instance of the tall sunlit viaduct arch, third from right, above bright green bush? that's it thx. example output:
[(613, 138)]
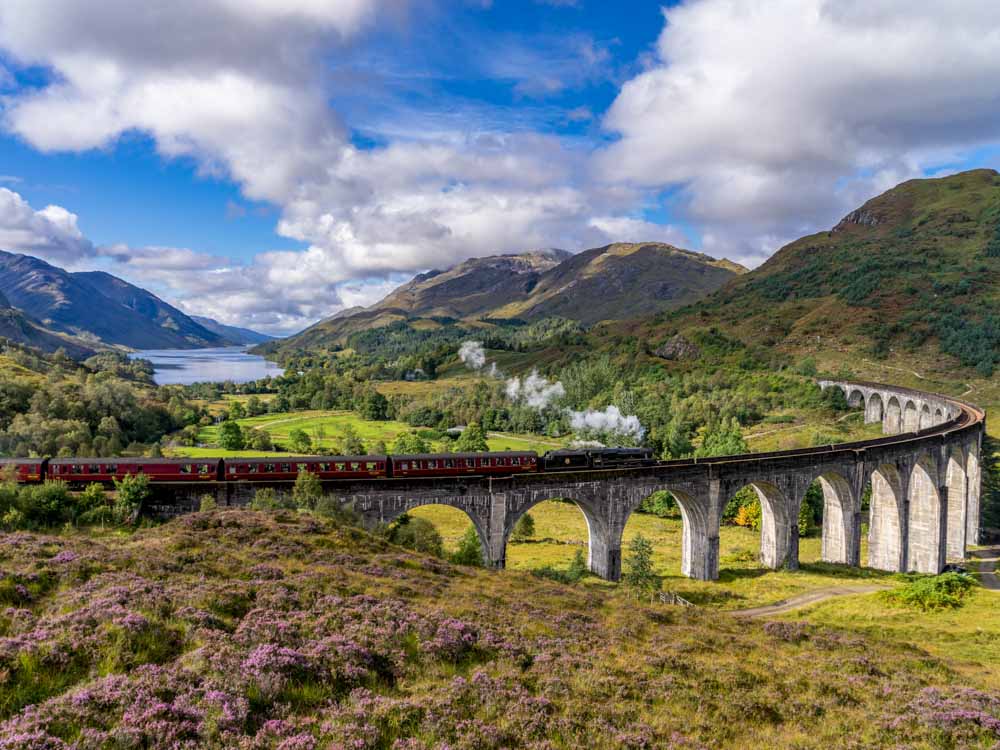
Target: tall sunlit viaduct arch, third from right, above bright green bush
[(925, 528)]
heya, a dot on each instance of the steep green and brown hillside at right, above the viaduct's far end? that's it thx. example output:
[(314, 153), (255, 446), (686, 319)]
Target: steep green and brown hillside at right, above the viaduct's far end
[(913, 274)]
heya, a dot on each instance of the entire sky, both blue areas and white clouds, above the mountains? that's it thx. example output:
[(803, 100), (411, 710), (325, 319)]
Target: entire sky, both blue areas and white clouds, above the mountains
[(268, 163)]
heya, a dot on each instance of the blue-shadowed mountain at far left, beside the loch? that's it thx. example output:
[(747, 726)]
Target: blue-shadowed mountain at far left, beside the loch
[(96, 308)]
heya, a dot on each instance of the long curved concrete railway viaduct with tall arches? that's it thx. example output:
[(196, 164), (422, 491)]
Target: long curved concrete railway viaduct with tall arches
[(924, 479)]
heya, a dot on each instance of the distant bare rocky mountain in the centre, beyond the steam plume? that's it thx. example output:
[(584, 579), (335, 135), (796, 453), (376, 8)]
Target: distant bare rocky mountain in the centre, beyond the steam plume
[(607, 283)]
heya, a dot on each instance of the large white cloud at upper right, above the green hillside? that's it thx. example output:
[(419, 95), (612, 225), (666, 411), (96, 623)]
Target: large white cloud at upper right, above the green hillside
[(778, 116)]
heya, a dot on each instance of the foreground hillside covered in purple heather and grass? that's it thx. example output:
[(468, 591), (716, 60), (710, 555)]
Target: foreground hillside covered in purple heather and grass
[(245, 629)]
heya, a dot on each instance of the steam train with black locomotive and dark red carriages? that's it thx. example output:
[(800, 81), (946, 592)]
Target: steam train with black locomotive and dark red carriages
[(80, 471)]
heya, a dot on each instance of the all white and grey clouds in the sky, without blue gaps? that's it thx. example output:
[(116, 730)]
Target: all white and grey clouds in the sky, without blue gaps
[(769, 118)]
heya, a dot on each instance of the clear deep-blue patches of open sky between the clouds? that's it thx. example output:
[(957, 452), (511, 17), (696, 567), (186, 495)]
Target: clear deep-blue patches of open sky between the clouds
[(126, 193)]
